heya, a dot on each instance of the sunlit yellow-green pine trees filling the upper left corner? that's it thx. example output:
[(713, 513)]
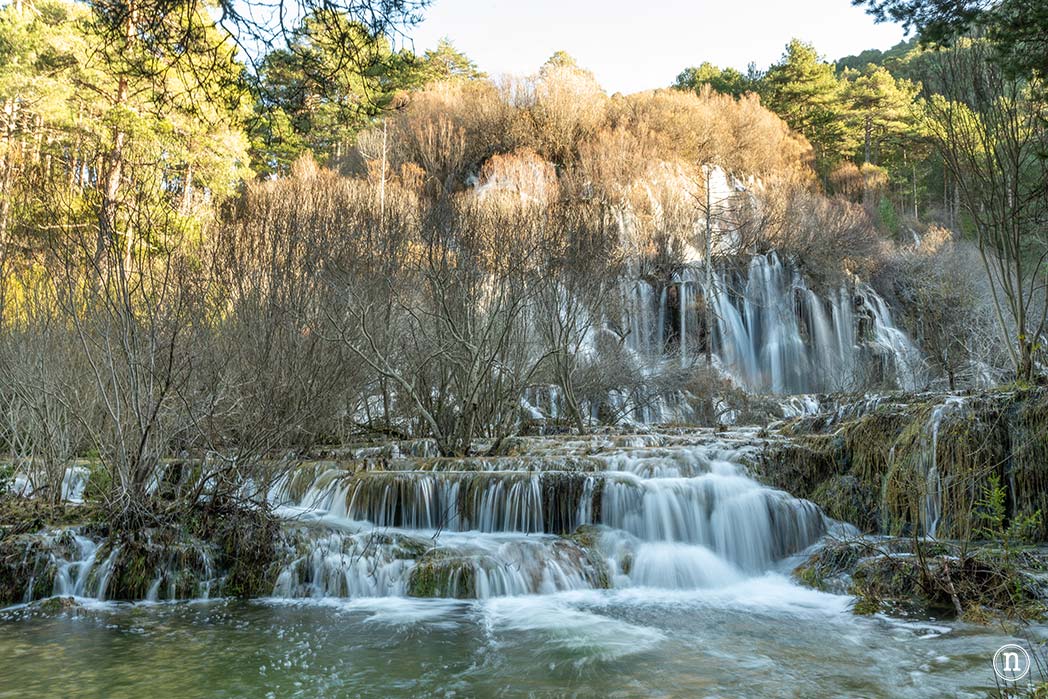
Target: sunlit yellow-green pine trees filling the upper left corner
[(84, 136)]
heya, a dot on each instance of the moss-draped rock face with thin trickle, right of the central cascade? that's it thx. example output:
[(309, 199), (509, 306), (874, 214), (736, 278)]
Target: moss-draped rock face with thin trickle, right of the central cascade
[(921, 465)]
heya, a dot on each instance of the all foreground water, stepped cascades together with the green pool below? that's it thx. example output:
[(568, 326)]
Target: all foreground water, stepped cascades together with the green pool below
[(610, 566)]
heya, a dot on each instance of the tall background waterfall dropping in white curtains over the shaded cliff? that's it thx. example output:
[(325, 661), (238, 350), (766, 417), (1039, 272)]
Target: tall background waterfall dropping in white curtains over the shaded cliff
[(773, 334)]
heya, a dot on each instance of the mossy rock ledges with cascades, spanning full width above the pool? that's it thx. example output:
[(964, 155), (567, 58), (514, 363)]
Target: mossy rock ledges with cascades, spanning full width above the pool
[(671, 508)]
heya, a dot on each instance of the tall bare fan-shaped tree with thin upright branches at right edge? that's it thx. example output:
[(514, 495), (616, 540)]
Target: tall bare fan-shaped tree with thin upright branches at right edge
[(991, 130)]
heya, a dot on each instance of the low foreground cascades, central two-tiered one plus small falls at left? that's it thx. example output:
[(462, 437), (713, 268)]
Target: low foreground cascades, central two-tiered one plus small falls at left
[(662, 511)]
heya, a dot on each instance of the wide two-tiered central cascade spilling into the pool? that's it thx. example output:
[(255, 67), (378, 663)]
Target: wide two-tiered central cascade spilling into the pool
[(680, 516)]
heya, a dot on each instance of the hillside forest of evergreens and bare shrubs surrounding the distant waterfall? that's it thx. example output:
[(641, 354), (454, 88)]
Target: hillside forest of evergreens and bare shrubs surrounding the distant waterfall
[(350, 242)]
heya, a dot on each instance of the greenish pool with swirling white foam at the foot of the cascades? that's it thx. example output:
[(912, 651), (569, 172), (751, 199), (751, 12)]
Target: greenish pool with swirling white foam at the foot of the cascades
[(763, 638)]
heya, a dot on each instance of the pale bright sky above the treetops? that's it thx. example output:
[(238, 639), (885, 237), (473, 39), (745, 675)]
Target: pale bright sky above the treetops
[(632, 47)]
